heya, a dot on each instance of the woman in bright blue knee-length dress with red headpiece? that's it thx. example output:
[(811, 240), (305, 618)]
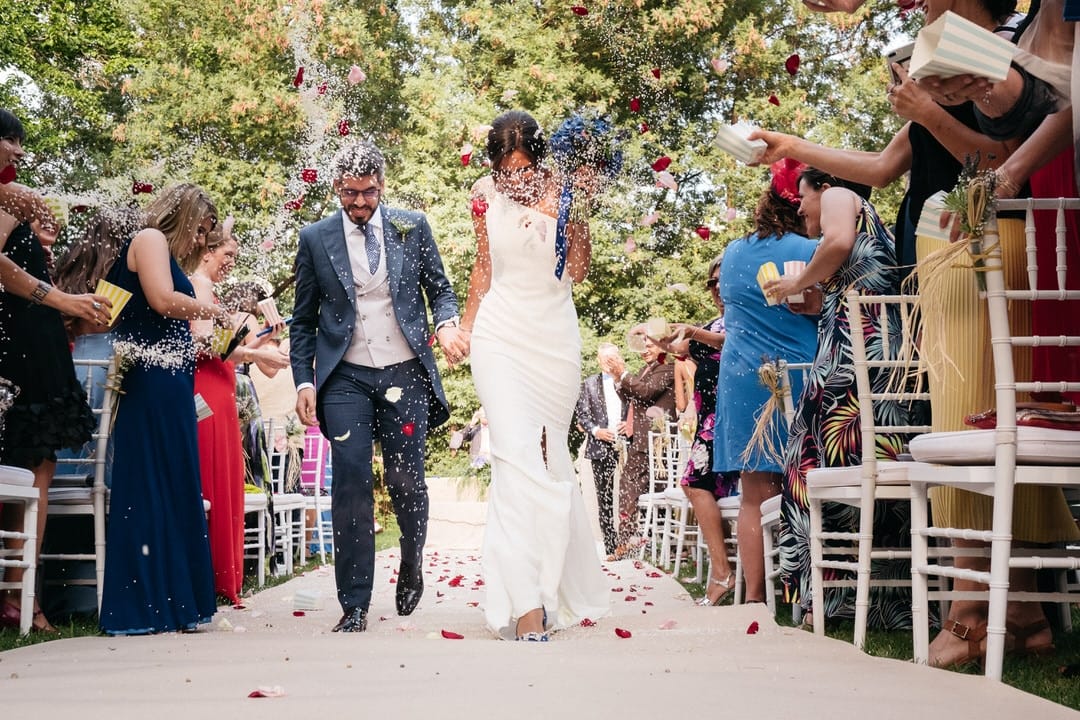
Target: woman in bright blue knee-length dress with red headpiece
[(755, 331)]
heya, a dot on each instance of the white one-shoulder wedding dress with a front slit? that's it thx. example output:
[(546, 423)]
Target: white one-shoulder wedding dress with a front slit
[(526, 363)]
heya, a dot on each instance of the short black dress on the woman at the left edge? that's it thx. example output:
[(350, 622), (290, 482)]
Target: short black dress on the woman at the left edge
[(50, 412)]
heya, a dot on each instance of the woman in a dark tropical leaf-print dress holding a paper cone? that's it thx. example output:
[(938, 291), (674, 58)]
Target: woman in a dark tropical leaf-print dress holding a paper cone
[(856, 253)]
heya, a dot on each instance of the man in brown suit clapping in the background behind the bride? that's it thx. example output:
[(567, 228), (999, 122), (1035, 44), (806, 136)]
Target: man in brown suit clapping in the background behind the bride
[(653, 387)]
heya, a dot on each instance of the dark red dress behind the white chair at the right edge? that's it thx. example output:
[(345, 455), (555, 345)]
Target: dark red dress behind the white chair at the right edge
[(1057, 180)]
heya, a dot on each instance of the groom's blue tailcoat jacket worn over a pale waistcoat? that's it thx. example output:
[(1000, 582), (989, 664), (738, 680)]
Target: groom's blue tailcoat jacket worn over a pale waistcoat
[(325, 316)]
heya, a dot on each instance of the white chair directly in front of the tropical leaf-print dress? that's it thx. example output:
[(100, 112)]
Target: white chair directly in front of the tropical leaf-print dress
[(862, 486)]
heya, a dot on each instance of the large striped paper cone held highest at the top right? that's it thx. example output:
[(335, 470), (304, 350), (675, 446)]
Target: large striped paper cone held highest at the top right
[(953, 46)]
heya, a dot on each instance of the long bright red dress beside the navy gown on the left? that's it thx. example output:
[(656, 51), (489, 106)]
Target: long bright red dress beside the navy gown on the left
[(222, 468)]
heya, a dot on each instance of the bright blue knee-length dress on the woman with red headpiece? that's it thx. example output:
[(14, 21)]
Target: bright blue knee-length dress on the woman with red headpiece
[(757, 331)]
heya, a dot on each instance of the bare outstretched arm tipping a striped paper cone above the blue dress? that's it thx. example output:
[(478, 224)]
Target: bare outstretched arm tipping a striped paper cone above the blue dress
[(874, 169)]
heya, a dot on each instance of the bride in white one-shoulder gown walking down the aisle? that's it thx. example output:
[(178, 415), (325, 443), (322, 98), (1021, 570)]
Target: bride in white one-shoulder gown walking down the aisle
[(541, 564)]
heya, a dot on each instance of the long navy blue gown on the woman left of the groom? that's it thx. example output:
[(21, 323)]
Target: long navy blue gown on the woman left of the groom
[(158, 574)]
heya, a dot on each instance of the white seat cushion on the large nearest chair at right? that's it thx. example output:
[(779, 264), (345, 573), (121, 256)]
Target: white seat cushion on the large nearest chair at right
[(1035, 446)]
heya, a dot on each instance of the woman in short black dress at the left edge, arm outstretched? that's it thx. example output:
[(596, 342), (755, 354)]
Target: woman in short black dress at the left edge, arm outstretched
[(50, 412)]
